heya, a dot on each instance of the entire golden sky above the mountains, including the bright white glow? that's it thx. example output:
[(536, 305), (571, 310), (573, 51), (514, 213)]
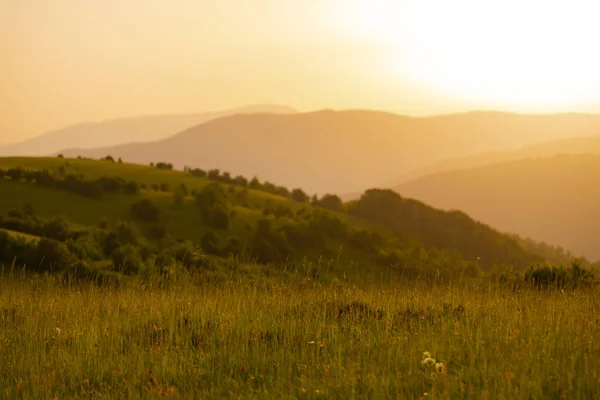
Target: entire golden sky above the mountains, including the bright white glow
[(68, 61)]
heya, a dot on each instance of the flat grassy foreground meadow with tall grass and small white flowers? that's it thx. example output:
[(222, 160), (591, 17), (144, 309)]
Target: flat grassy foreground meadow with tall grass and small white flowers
[(290, 336)]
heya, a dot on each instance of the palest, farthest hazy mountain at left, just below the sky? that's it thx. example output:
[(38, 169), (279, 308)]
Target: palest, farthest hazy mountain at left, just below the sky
[(123, 130)]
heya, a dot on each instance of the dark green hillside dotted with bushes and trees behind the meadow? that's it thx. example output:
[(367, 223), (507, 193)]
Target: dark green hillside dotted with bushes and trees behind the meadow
[(229, 216)]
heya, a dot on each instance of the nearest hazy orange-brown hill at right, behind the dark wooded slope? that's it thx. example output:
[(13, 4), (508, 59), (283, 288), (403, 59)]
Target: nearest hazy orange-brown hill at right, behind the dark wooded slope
[(552, 199)]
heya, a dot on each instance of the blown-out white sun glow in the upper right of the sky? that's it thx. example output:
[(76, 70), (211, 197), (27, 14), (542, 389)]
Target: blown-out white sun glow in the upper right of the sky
[(526, 54)]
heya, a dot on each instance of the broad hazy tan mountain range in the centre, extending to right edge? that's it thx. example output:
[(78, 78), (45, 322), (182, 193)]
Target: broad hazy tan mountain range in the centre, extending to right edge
[(345, 151)]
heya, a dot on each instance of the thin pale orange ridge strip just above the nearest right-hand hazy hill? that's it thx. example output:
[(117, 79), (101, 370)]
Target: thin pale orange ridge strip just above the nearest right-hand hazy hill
[(580, 145)]
